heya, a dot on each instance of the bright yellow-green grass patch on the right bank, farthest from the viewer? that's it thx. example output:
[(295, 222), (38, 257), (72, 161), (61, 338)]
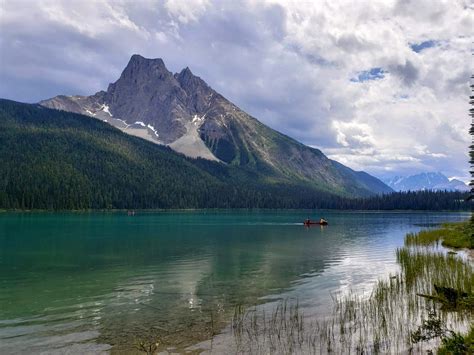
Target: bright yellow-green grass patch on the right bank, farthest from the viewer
[(451, 235)]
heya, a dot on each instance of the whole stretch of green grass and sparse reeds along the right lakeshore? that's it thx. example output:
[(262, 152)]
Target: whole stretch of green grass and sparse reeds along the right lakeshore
[(383, 322)]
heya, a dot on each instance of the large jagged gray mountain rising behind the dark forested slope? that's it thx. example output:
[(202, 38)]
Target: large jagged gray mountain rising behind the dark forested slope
[(183, 112)]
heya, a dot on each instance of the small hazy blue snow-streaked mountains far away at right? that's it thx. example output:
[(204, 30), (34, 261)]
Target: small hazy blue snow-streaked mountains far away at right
[(435, 181)]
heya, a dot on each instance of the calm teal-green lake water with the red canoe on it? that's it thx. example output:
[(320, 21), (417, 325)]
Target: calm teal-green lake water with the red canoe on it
[(99, 282)]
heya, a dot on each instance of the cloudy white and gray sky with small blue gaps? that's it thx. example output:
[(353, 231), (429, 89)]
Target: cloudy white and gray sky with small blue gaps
[(380, 86)]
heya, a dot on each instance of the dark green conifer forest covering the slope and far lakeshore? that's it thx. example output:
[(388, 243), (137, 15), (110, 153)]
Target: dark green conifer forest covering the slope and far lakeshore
[(55, 160)]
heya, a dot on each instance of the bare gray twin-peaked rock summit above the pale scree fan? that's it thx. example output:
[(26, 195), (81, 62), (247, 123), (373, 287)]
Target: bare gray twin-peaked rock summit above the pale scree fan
[(147, 93)]
